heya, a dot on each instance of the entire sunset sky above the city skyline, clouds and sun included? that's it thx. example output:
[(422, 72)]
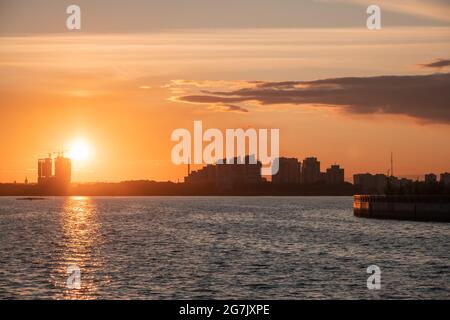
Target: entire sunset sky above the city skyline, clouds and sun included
[(138, 70)]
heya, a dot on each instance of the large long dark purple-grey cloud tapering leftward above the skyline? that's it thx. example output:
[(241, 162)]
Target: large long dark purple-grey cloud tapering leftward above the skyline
[(424, 97)]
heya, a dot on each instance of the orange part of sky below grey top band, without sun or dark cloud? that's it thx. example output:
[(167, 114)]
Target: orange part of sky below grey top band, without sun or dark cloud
[(114, 90)]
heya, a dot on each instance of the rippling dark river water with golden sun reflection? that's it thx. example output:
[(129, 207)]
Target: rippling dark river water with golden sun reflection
[(214, 248)]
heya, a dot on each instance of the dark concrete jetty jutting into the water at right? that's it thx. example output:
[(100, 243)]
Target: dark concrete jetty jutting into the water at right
[(403, 207)]
